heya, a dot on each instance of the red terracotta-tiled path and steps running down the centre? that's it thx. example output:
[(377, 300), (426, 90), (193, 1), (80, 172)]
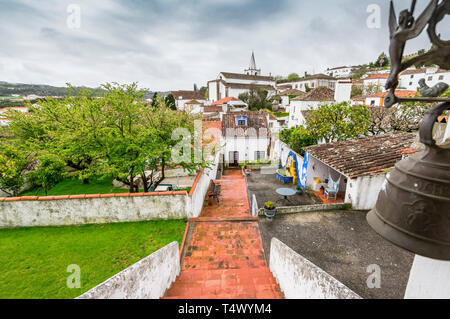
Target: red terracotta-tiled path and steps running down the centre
[(223, 257)]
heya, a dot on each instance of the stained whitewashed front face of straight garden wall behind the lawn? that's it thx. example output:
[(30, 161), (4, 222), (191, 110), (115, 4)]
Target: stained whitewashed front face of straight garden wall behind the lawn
[(59, 212)]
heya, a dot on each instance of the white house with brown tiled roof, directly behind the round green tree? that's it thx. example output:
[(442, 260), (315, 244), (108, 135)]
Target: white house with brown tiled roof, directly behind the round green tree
[(312, 100)]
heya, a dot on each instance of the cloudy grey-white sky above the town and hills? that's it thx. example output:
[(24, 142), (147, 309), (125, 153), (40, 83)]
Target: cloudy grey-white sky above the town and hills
[(171, 44)]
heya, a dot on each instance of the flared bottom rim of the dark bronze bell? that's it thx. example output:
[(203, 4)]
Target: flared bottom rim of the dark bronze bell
[(403, 240)]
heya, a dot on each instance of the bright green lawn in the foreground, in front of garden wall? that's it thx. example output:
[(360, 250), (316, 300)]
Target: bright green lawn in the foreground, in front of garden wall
[(34, 261)]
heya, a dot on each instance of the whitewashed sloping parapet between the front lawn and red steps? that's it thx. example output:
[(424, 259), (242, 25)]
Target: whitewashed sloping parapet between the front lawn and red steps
[(149, 278)]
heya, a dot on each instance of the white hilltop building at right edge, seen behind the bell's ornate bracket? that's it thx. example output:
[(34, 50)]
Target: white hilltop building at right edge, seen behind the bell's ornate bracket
[(409, 79)]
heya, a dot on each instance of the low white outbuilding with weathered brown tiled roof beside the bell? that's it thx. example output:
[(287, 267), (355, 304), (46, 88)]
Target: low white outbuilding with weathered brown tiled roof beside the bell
[(360, 165)]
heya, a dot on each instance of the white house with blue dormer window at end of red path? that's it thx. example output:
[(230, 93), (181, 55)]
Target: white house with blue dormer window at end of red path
[(246, 137)]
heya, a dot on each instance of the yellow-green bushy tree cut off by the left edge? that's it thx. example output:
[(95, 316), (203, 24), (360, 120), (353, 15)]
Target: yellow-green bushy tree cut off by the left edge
[(13, 166)]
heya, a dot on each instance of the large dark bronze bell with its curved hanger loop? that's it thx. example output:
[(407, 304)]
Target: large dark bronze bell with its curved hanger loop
[(413, 207)]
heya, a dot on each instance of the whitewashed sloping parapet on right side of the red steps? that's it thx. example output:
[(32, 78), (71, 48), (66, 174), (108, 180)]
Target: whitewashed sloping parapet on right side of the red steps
[(300, 279)]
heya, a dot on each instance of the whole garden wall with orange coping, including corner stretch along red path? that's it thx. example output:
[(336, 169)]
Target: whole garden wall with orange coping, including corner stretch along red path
[(29, 211)]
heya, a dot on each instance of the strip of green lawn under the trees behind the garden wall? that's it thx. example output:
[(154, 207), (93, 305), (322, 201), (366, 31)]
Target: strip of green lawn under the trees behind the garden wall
[(75, 186)]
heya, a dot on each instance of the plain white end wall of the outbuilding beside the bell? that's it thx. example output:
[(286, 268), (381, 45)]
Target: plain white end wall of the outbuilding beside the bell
[(362, 192)]
